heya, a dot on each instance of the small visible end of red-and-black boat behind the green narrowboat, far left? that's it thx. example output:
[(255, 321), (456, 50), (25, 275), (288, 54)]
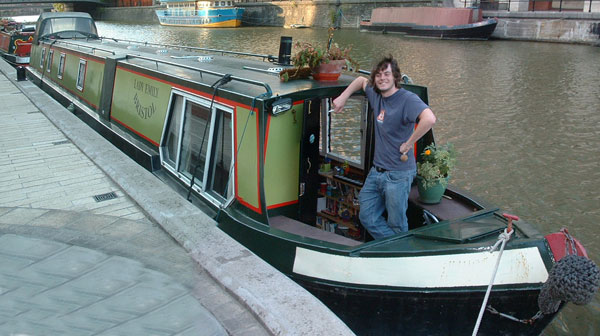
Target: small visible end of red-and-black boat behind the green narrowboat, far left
[(15, 43)]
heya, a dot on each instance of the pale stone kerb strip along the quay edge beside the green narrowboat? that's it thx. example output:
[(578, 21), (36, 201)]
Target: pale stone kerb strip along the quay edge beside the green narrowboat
[(283, 306)]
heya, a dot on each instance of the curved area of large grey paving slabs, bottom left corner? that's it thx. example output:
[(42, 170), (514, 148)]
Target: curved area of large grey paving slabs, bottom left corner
[(90, 292)]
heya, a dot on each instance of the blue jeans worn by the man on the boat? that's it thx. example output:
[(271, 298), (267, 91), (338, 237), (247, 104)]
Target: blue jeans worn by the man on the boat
[(386, 190)]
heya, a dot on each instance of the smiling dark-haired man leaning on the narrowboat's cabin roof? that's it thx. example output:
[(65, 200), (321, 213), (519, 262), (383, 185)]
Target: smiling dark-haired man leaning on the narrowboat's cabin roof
[(396, 112)]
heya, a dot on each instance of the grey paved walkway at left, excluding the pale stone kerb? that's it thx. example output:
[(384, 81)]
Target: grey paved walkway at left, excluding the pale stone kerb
[(74, 262)]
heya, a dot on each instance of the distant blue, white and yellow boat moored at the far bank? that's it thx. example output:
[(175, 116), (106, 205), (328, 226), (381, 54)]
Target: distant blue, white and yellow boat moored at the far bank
[(208, 14)]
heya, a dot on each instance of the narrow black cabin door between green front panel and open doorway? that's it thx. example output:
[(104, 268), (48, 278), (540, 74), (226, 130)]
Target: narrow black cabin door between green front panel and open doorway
[(309, 162)]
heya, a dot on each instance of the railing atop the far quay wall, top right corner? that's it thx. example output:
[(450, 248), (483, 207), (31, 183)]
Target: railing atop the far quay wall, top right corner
[(536, 5)]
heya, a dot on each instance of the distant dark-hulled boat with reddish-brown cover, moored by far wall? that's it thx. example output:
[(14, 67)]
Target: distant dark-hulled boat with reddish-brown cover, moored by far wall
[(431, 22)]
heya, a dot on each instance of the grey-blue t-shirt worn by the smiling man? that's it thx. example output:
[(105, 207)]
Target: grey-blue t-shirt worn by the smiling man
[(394, 118)]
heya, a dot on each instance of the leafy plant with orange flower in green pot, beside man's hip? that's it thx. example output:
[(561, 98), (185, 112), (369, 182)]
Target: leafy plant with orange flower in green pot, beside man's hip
[(433, 172)]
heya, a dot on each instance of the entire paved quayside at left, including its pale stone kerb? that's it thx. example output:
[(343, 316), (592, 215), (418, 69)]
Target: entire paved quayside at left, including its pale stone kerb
[(79, 255)]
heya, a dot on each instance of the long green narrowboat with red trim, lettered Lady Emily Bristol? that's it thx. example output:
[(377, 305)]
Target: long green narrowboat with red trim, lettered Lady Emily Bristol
[(264, 158)]
